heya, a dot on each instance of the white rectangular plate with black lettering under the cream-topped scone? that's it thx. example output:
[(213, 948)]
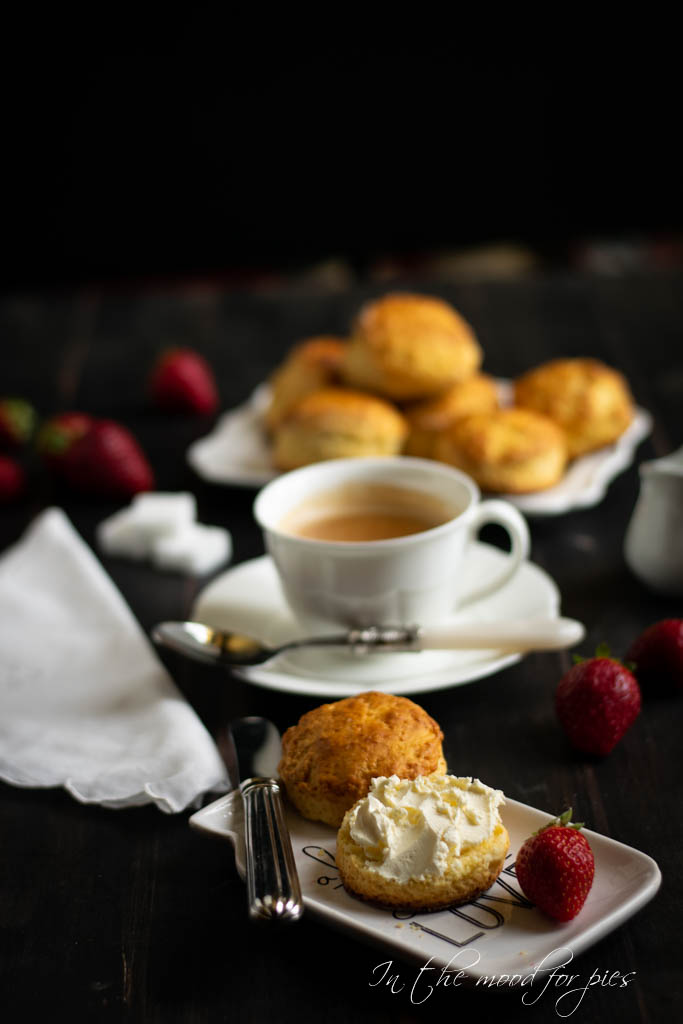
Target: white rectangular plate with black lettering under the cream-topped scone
[(497, 935)]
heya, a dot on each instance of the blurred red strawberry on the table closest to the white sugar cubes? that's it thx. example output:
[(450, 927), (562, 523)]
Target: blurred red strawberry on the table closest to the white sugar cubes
[(108, 460)]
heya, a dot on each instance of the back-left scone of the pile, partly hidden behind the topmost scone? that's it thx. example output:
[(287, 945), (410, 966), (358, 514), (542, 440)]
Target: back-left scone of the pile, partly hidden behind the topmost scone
[(311, 365)]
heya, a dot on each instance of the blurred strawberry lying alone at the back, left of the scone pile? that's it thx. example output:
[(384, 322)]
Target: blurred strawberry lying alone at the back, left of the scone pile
[(184, 381)]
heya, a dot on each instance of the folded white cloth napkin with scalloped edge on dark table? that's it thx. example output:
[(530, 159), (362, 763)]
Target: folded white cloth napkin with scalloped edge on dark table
[(84, 701)]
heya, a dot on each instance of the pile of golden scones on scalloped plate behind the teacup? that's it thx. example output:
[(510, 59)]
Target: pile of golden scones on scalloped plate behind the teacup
[(409, 381)]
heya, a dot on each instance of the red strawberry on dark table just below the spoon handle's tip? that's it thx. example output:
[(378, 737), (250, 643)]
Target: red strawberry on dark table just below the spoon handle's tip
[(596, 702)]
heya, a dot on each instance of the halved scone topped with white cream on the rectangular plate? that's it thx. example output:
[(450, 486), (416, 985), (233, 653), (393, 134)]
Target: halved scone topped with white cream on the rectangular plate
[(423, 844)]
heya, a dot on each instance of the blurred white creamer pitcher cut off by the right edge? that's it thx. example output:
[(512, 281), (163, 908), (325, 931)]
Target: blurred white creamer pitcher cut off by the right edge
[(654, 546)]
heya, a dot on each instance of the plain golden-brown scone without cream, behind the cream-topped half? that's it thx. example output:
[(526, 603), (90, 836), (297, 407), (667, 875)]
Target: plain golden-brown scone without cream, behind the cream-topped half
[(330, 757)]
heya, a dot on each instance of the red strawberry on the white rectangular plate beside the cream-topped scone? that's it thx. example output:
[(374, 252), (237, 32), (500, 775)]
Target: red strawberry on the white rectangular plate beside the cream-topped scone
[(556, 869)]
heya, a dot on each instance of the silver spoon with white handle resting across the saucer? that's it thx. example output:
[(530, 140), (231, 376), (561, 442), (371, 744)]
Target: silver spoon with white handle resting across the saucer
[(225, 648)]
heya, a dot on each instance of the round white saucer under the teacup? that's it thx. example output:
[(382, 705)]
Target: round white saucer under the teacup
[(249, 599)]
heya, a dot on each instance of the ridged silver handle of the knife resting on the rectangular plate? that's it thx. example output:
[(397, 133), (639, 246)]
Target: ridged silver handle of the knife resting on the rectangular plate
[(274, 892)]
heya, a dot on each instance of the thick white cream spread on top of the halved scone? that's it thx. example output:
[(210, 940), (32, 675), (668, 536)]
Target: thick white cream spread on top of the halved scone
[(408, 828)]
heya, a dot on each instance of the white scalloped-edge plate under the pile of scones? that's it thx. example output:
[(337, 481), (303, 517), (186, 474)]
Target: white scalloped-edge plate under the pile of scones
[(237, 452)]
